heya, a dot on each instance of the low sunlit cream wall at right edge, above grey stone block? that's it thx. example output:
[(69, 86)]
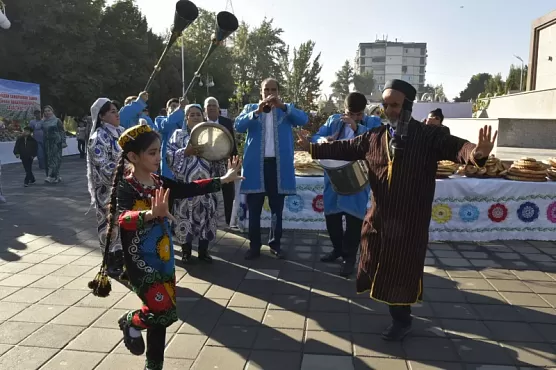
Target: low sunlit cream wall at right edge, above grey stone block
[(527, 105)]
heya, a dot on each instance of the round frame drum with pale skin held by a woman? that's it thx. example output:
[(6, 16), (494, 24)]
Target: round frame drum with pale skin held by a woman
[(216, 141)]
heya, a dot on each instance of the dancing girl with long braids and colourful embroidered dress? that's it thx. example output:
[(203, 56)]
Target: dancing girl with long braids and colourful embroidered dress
[(141, 199)]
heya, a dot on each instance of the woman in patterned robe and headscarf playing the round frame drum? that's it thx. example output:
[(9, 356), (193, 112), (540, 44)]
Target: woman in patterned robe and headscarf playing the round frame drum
[(196, 217)]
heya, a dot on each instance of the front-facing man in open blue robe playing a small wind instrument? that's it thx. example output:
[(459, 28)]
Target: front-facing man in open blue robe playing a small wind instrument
[(268, 162)]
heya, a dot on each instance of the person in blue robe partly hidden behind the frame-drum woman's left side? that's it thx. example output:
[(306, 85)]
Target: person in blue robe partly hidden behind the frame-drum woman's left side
[(166, 125)]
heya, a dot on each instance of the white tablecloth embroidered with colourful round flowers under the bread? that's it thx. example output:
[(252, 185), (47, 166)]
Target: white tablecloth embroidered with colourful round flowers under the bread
[(464, 209)]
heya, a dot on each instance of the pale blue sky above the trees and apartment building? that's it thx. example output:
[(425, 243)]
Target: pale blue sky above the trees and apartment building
[(482, 36)]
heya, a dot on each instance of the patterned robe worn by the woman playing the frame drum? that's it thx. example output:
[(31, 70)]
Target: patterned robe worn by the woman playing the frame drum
[(196, 216)]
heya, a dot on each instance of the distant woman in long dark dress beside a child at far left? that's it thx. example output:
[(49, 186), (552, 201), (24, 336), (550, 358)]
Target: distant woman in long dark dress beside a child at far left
[(54, 142)]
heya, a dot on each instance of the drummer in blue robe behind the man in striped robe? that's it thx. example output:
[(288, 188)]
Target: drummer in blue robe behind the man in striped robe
[(353, 207)]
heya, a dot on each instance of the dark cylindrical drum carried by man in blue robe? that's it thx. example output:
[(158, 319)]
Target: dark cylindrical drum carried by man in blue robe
[(346, 178)]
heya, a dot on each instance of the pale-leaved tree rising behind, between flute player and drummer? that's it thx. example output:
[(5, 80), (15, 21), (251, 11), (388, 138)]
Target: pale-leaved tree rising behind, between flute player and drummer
[(301, 76)]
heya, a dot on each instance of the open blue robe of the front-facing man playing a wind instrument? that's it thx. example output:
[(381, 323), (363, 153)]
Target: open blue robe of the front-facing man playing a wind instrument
[(253, 153)]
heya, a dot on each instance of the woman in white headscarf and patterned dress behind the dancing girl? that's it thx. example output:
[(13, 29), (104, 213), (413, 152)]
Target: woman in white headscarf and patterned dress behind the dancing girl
[(102, 160)]
